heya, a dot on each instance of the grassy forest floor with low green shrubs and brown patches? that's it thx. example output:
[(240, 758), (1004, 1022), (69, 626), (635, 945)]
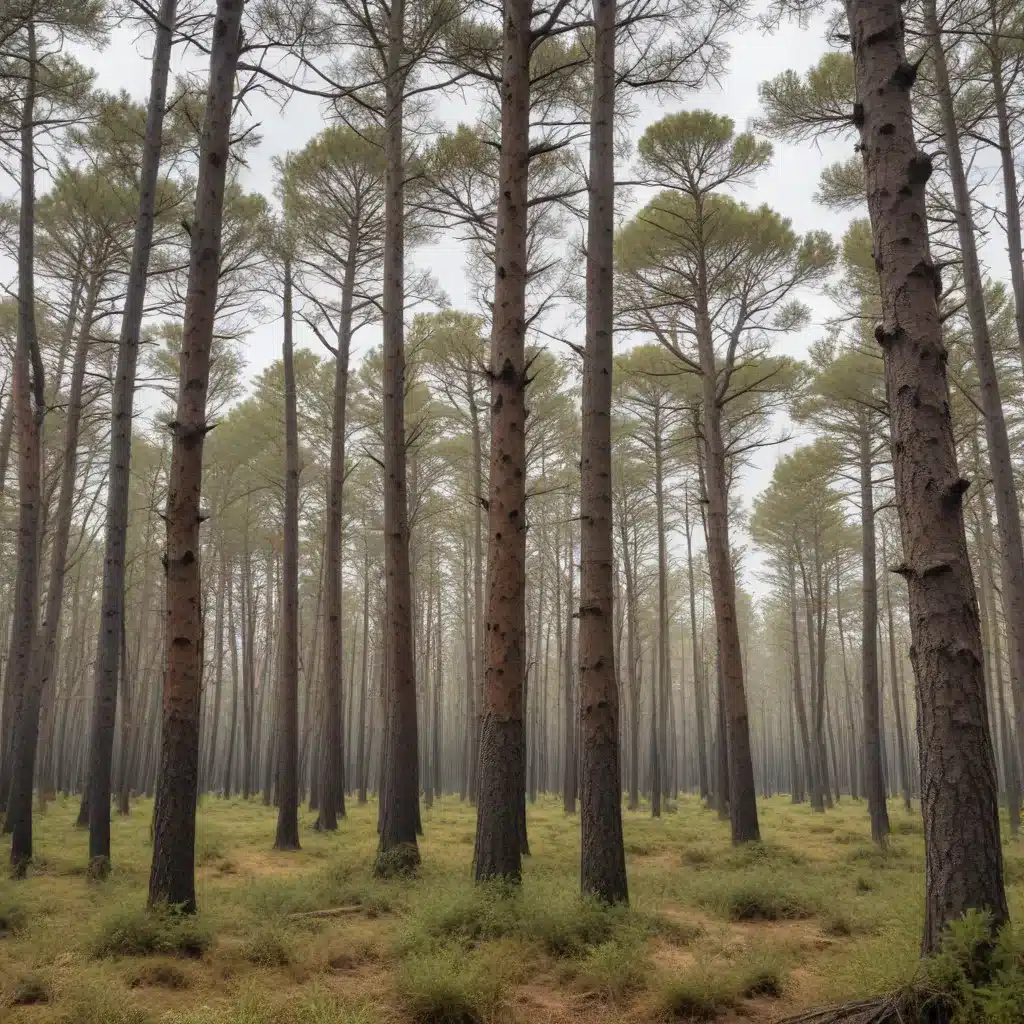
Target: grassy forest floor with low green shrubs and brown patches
[(815, 915)]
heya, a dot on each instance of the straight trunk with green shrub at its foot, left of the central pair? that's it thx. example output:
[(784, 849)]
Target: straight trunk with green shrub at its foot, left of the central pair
[(400, 780)]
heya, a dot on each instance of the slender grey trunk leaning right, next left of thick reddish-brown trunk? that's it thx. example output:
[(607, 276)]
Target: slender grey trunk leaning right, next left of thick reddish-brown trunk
[(112, 609)]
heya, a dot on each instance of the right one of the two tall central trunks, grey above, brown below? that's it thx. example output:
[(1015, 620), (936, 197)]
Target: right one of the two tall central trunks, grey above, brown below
[(603, 862)]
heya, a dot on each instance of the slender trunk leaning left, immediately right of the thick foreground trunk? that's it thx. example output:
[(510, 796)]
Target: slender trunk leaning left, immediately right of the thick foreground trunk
[(1000, 456)]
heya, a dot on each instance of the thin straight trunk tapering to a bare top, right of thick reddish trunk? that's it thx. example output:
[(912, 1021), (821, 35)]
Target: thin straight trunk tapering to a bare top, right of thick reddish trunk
[(287, 837)]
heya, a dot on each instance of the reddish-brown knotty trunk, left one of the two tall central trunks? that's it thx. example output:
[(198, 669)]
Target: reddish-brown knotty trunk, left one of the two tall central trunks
[(501, 772)]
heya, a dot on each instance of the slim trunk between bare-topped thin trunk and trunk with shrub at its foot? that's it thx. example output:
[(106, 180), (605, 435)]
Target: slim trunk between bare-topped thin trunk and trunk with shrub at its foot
[(333, 793)]
